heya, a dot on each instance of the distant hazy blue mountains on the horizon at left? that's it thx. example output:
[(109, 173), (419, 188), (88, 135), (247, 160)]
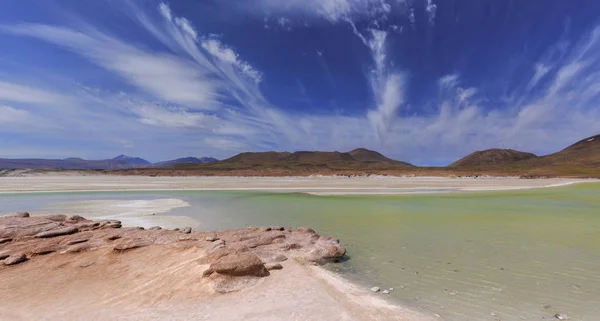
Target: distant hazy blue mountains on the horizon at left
[(119, 162)]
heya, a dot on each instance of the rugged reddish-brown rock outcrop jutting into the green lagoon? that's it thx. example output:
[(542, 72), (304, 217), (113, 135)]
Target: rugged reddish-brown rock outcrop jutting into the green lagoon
[(233, 258)]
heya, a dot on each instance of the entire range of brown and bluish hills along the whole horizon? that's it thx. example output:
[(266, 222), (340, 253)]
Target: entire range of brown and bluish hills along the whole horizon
[(581, 159)]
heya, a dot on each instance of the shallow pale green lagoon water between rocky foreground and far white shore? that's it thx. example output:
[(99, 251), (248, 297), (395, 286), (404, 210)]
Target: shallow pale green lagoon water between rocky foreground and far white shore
[(519, 255)]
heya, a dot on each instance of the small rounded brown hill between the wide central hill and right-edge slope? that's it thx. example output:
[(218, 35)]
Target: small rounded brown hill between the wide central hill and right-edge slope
[(492, 157)]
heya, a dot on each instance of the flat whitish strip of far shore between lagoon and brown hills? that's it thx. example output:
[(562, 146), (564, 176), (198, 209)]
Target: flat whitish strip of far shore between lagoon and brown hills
[(316, 185)]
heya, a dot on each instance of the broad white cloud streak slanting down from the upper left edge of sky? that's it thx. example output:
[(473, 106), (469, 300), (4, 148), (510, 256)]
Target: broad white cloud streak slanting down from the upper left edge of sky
[(164, 75)]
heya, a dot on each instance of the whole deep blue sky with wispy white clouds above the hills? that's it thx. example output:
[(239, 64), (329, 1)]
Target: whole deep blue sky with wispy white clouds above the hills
[(424, 81)]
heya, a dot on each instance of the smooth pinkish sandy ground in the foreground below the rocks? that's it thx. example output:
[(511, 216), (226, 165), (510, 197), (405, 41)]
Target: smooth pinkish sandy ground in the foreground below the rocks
[(157, 284)]
